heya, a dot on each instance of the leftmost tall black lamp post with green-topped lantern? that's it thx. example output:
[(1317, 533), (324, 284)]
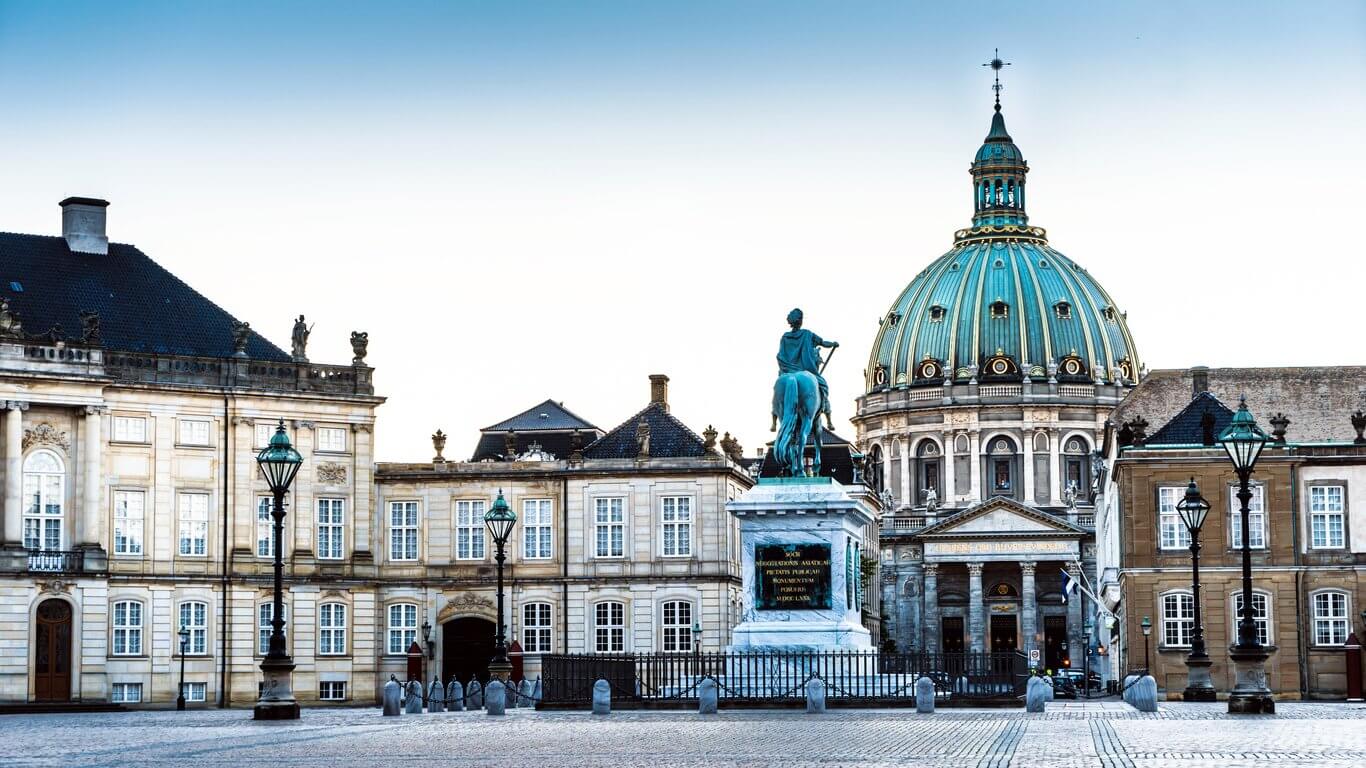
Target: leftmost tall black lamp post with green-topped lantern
[(279, 464)]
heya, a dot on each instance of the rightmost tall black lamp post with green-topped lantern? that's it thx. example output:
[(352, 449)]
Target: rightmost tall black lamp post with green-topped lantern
[(1244, 443)]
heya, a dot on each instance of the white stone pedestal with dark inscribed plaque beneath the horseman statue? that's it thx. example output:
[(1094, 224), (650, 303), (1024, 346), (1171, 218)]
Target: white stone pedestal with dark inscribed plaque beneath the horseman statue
[(803, 569)]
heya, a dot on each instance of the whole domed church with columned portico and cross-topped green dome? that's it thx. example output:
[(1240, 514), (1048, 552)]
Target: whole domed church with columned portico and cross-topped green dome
[(988, 389)]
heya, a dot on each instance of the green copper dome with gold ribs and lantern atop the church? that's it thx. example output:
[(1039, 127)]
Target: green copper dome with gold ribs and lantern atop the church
[(1002, 305)]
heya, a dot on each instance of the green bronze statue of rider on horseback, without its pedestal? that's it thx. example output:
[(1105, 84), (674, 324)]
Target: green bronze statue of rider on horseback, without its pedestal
[(801, 396)]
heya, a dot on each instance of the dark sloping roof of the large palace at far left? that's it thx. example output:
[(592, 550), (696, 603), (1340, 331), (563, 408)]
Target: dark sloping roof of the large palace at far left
[(143, 308)]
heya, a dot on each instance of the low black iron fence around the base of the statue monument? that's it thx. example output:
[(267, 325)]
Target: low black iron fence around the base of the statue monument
[(779, 678)]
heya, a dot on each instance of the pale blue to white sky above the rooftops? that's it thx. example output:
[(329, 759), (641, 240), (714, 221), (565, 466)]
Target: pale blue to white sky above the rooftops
[(522, 202)]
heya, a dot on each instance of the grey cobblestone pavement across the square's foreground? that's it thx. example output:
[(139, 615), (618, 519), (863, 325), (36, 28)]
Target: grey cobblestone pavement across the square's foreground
[(1083, 735)]
